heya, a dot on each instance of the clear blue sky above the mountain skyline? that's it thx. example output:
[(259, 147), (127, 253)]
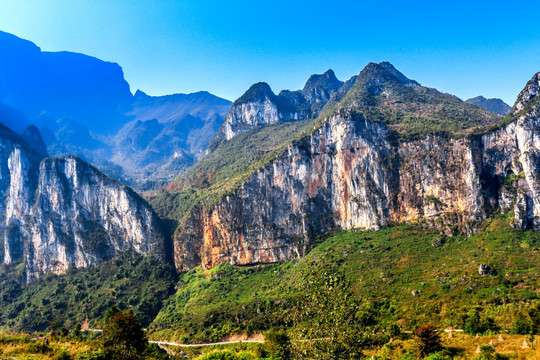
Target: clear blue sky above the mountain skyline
[(466, 48)]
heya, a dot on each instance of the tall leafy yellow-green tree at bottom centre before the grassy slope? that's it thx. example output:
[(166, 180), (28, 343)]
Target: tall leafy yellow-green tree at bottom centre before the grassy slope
[(329, 320)]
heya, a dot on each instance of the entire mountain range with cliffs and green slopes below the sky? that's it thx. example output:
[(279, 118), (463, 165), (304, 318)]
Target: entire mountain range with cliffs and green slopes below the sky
[(339, 172)]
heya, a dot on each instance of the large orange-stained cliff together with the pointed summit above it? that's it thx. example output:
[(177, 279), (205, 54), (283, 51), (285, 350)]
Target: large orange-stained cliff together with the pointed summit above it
[(371, 163)]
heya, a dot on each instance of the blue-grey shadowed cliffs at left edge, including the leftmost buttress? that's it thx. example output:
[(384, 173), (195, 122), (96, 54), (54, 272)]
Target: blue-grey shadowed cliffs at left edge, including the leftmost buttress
[(62, 213)]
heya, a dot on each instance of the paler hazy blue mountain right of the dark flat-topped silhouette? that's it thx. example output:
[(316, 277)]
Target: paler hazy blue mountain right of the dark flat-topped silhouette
[(169, 133)]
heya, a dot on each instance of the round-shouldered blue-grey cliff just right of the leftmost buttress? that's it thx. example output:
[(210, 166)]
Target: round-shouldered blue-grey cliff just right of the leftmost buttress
[(82, 217)]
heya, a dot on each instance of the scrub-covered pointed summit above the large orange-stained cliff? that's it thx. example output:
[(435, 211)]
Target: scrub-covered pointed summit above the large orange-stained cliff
[(412, 112)]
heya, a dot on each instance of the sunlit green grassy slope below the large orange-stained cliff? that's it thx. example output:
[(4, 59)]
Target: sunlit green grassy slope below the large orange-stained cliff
[(385, 267)]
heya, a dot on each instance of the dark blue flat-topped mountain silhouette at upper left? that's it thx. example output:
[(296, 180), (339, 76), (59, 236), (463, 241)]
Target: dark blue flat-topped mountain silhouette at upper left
[(62, 85)]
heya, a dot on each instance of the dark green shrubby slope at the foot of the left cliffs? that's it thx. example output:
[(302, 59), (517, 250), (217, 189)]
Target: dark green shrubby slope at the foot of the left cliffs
[(140, 284)]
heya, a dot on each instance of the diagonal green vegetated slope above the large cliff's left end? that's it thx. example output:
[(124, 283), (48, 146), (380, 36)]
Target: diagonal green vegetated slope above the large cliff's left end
[(223, 170)]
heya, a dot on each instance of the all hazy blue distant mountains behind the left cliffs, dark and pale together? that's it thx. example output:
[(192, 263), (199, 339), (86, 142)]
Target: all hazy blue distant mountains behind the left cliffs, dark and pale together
[(83, 106)]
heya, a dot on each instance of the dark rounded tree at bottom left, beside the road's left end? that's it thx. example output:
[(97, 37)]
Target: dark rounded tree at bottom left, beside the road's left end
[(123, 336)]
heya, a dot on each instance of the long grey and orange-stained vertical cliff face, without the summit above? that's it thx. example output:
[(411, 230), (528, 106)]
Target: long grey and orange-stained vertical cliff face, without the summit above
[(348, 174)]
